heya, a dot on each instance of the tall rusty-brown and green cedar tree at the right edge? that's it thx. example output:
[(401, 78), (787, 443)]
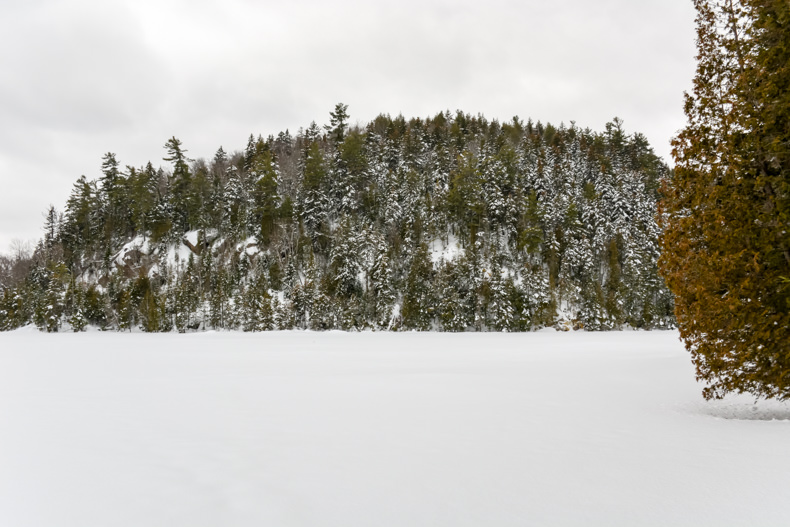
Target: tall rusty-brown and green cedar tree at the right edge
[(726, 247)]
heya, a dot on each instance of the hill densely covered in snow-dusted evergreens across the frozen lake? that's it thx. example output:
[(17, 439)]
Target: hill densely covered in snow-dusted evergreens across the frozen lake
[(451, 223)]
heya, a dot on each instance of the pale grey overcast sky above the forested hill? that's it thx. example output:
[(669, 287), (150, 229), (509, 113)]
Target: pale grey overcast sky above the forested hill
[(85, 77)]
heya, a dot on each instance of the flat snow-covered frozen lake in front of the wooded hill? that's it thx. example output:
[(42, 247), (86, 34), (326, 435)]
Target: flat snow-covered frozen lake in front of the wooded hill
[(378, 429)]
